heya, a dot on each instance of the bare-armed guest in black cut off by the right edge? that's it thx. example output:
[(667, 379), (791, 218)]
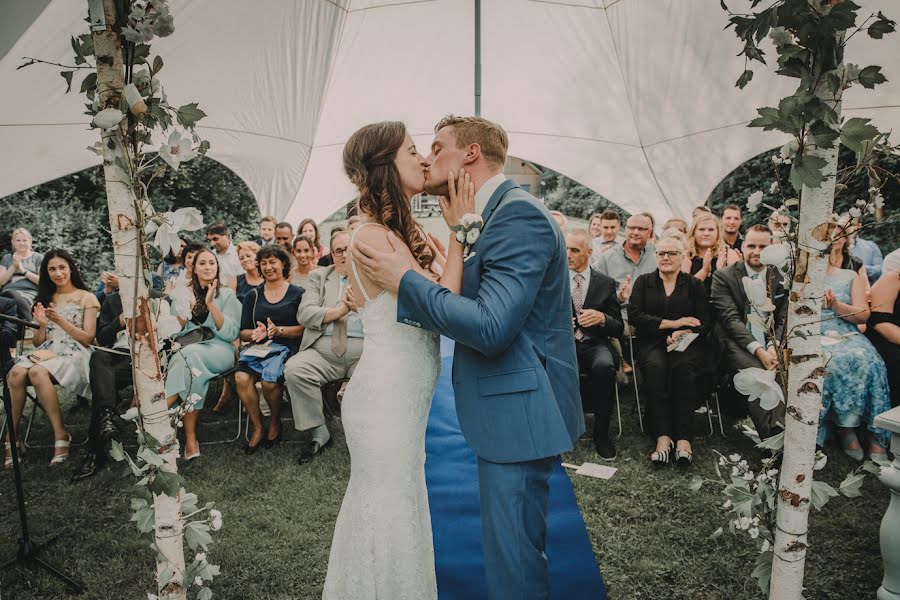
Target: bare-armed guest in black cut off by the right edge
[(883, 326)]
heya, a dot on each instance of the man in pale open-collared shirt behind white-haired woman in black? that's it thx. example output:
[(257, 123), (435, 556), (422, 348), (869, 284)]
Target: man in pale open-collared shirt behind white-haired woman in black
[(634, 257)]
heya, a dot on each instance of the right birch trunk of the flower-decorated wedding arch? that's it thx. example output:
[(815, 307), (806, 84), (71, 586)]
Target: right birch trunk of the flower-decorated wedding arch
[(806, 373)]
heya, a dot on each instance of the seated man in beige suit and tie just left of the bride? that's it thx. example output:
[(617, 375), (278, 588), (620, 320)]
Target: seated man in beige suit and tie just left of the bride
[(331, 347)]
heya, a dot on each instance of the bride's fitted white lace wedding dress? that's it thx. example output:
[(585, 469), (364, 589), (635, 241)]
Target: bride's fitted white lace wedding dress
[(382, 547)]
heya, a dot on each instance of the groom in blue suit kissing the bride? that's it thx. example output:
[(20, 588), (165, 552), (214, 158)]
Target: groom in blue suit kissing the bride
[(515, 373)]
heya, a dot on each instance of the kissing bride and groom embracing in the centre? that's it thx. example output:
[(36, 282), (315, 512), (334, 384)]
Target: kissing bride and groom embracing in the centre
[(499, 288)]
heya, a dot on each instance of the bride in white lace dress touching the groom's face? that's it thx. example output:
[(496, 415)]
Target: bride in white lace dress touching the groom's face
[(382, 546)]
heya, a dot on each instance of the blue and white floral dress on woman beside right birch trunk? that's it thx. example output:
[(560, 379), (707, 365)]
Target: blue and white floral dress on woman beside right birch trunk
[(856, 386)]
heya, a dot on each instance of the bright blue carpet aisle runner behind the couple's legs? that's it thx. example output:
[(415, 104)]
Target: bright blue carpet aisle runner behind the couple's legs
[(452, 475)]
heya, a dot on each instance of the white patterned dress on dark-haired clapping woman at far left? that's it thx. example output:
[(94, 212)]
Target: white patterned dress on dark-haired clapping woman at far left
[(70, 365)]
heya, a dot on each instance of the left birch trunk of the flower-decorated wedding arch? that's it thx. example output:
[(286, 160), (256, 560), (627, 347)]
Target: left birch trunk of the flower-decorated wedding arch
[(149, 384)]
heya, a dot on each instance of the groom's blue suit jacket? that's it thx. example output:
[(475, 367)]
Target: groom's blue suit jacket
[(515, 373)]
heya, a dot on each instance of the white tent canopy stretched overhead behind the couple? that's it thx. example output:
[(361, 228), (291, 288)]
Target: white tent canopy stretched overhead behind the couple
[(633, 98)]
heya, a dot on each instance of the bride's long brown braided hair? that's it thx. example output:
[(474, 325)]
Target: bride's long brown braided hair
[(369, 163)]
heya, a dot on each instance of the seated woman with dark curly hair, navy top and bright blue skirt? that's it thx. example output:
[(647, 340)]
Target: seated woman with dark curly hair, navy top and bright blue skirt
[(269, 321)]
